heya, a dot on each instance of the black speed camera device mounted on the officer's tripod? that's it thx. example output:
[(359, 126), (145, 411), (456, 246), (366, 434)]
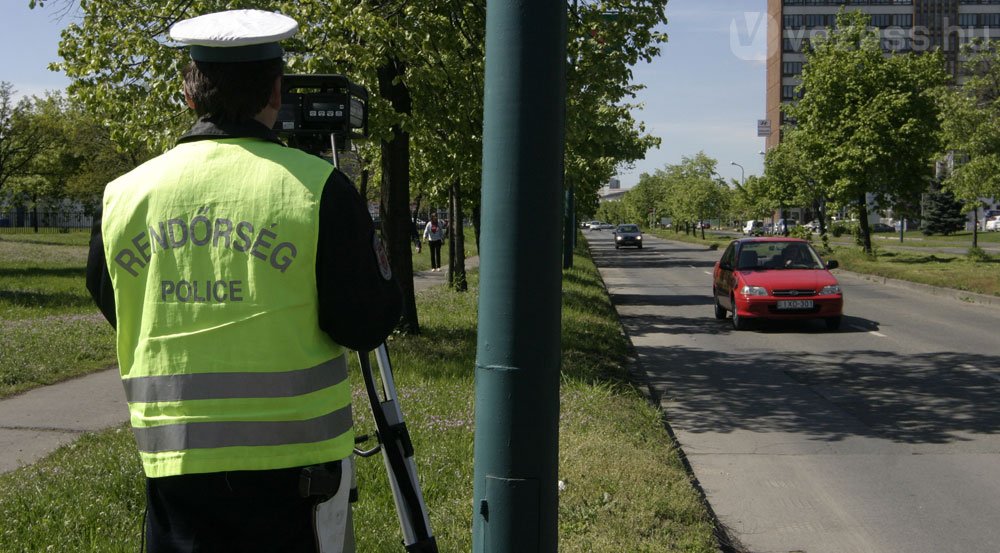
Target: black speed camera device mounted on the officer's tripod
[(322, 113)]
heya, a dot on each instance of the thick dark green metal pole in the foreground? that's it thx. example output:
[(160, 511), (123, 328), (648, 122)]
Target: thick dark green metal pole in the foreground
[(515, 496)]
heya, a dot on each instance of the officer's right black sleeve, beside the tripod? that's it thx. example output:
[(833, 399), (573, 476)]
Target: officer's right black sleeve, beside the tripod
[(359, 302)]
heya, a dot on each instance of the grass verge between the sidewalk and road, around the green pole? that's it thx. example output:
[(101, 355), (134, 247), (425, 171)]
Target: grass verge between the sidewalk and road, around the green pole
[(626, 488)]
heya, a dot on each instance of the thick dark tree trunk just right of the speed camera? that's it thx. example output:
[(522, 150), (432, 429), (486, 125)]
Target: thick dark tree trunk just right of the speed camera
[(395, 201)]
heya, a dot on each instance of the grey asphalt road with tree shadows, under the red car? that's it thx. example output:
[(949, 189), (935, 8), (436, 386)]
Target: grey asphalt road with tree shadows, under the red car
[(882, 437)]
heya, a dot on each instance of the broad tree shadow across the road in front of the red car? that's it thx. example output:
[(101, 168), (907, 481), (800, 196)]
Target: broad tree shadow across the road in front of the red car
[(910, 399)]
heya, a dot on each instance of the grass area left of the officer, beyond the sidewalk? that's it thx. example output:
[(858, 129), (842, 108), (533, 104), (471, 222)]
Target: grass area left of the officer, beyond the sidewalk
[(50, 329)]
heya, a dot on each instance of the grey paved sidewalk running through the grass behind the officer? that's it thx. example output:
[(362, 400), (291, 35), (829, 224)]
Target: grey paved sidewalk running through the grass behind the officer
[(35, 423)]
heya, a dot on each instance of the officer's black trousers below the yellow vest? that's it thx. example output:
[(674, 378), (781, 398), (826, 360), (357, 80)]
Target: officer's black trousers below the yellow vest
[(245, 511)]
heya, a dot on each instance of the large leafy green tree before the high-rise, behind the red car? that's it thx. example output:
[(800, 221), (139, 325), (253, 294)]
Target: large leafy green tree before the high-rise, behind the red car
[(868, 121)]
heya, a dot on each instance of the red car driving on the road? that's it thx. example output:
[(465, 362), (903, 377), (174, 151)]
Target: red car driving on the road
[(775, 278)]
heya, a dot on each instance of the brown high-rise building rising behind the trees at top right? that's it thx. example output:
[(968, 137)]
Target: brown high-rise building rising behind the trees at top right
[(905, 26)]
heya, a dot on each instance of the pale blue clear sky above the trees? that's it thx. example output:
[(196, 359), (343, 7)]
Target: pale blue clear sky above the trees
[(705, 92)]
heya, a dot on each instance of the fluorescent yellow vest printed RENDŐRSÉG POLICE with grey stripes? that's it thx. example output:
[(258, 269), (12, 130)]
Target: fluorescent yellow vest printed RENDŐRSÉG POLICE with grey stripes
[(211, 249)]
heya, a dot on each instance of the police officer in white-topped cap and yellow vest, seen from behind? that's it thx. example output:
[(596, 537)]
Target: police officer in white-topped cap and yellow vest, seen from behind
[(237, 272)]
